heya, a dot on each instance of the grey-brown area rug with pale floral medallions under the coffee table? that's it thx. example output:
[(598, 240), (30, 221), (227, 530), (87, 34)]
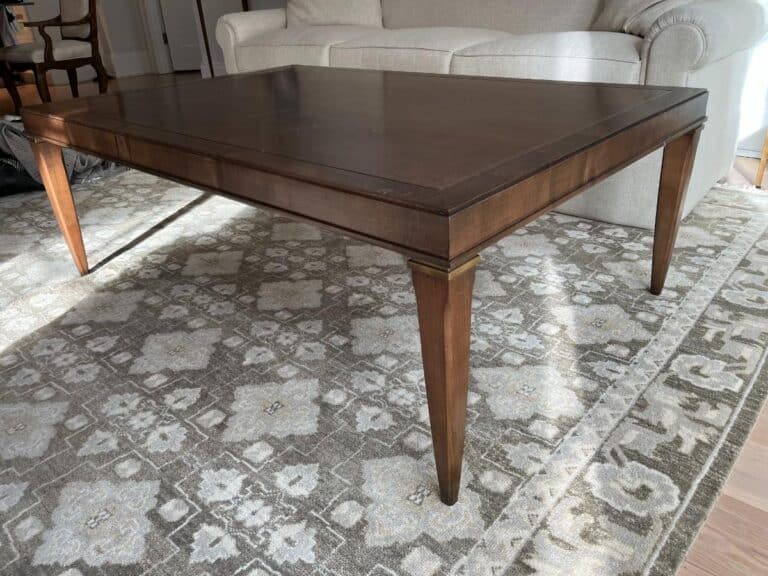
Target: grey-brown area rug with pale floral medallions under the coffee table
[(231, 392)]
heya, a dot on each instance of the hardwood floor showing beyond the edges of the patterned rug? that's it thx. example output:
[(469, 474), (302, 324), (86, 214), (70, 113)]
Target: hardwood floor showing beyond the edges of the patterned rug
[(734, 539)]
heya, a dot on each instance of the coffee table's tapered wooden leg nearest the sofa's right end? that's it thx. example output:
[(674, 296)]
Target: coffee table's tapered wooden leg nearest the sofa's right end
[(675, 176)]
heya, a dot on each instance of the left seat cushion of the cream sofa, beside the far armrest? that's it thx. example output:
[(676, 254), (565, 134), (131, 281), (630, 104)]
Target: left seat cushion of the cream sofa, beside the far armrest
[(308, 45)]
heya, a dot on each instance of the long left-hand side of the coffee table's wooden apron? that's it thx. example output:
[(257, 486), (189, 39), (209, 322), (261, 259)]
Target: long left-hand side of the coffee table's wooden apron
[(417, 234)]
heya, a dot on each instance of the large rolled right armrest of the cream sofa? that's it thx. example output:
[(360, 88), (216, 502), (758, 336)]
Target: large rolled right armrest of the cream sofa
[(690, 37)]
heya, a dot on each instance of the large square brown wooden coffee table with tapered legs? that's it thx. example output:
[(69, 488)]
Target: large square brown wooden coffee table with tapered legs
[(434, 167)]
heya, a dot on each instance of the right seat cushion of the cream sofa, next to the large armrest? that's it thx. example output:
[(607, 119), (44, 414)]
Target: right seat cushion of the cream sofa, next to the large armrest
[(570, 56)]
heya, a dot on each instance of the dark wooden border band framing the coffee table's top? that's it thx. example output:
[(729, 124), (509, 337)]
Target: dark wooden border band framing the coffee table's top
[(443, 201)]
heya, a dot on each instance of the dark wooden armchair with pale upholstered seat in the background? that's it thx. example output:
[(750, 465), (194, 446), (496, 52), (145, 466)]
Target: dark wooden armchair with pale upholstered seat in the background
[(79, 46)]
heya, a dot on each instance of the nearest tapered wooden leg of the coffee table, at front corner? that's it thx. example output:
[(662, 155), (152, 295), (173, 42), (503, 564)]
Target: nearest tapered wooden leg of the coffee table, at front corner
[(444, 301)]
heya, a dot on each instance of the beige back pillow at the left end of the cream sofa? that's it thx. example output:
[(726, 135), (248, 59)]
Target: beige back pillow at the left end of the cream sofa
[(334, 12)]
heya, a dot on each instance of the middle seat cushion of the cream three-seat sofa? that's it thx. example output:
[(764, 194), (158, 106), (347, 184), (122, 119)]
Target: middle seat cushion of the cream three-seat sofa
[(409, 49)]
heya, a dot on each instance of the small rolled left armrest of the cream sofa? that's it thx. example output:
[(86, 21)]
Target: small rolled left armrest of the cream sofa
[(234, 30)]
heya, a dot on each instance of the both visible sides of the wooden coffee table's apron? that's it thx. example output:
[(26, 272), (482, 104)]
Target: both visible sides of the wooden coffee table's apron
[(440, 240)]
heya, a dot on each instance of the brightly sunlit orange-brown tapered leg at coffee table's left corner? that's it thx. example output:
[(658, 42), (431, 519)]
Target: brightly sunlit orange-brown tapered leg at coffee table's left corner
[(54, 175)]
